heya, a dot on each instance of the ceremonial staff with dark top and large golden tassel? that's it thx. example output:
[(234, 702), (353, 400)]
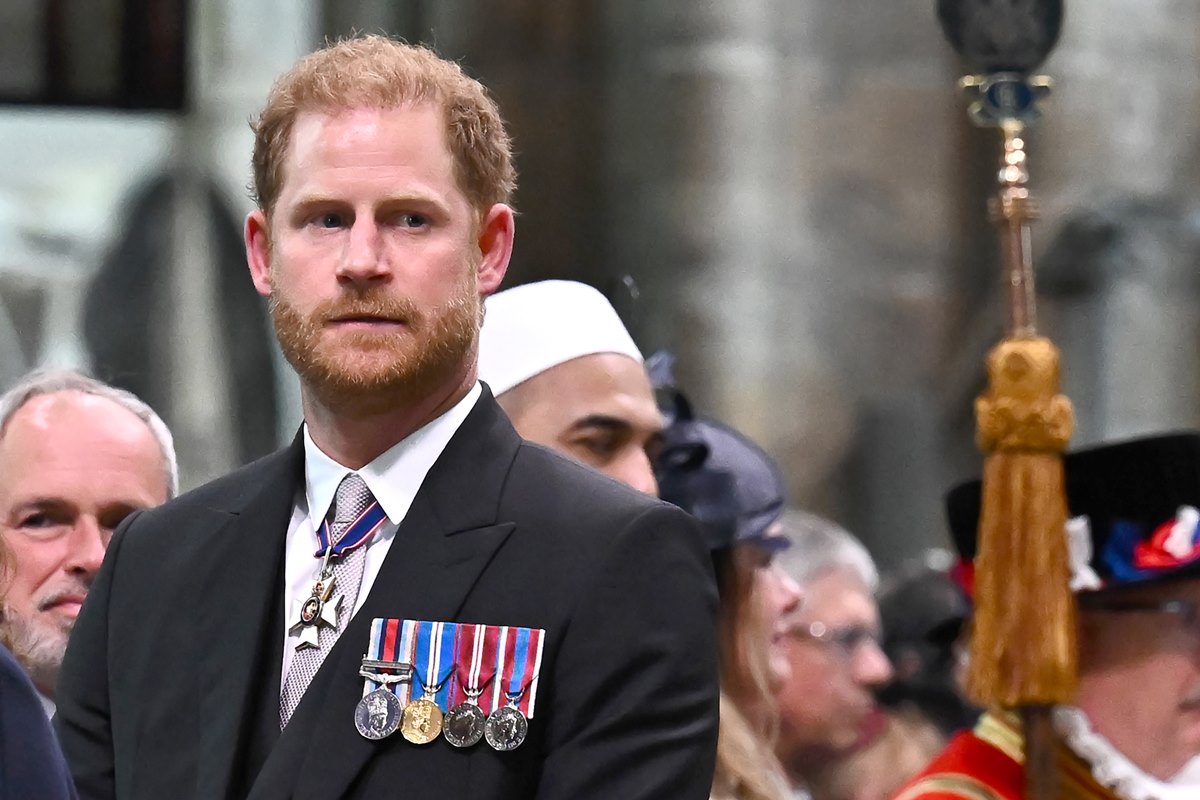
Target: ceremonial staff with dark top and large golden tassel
[(1023, 652)]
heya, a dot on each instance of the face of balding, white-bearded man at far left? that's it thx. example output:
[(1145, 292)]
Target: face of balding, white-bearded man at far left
[(73, 467)]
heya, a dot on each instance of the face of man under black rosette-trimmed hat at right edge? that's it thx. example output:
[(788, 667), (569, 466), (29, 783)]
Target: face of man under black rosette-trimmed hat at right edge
[(1141, 675)]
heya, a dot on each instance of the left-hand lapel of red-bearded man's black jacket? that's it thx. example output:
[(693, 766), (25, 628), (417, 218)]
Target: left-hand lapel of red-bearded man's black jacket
[(238, 642)]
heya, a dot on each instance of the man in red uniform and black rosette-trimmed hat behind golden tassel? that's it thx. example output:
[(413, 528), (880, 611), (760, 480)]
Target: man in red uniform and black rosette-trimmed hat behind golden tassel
[(1136, 569)]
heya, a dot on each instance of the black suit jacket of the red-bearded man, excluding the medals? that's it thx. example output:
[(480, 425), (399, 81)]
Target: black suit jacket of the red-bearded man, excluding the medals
[(171, 683)]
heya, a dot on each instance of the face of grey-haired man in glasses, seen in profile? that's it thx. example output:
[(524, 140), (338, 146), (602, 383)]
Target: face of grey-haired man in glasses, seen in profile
[(836, 664)]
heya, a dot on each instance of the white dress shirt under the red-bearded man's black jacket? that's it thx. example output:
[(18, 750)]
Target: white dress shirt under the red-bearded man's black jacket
[(394, 479)]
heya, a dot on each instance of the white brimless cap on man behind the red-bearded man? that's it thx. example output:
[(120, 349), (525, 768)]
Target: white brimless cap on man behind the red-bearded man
[(536, 327)]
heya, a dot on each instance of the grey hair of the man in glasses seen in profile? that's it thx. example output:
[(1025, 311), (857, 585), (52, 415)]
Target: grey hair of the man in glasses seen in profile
[(821, 546)]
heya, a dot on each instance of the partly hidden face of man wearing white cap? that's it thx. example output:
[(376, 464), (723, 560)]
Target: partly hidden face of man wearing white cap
[(598, 410)]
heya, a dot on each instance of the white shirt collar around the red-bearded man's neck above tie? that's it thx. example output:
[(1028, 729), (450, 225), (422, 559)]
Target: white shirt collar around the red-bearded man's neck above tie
[(395, 476)]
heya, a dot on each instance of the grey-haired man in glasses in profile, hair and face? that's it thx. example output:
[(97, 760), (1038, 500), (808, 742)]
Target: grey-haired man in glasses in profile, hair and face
[(827, 706)]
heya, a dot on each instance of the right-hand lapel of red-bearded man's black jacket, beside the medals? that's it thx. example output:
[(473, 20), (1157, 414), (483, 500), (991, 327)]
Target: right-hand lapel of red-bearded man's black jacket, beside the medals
[(446, 542)]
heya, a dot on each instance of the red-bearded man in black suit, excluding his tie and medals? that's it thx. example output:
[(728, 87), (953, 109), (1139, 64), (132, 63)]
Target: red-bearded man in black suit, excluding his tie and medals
[(382, 176)]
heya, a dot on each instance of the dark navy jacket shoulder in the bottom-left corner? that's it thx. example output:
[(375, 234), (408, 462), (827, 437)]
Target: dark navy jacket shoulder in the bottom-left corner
[(31, 761)]
